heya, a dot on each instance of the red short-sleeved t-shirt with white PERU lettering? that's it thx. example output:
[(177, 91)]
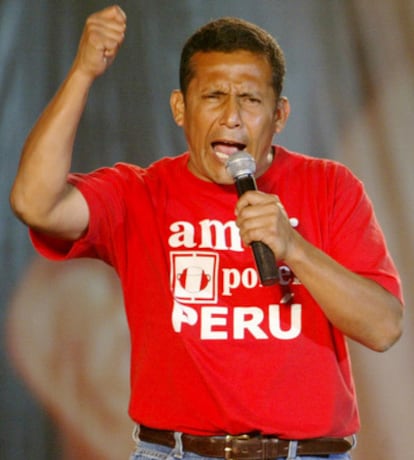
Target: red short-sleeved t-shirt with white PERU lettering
[(214, 352)]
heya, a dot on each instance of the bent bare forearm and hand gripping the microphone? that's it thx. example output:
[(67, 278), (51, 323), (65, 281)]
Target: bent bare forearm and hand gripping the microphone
[(356, 305)]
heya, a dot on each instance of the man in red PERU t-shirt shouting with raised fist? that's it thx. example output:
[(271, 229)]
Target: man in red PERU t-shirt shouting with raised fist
[(221, 366)]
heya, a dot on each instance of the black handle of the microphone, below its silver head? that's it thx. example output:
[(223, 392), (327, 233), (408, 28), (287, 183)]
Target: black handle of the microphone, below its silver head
[(263, 255)]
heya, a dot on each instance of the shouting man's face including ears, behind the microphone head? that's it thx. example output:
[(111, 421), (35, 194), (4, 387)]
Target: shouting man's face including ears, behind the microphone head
[(230, 105)]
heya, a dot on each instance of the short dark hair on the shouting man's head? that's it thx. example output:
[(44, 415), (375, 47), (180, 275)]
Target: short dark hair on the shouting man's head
[(230, 34)]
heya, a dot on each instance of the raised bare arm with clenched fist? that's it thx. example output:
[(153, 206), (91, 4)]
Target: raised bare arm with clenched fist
[(41, 196)]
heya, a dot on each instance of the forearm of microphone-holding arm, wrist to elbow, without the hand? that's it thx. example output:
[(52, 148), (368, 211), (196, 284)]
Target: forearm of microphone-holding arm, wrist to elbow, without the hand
[(358, 306)]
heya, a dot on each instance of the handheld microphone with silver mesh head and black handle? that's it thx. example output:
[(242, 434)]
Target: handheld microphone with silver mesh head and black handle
[(241, 167)]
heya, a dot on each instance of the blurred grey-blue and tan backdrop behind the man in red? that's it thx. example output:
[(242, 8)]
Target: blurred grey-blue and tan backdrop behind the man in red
[(64, 344)]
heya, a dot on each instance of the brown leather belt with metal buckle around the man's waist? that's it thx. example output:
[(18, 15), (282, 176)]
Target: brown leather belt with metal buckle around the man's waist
[(246, 446)]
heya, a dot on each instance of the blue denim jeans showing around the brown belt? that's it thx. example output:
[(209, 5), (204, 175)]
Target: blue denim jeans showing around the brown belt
[(148, 451)]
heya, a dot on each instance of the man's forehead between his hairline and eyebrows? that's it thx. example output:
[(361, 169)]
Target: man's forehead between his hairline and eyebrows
[(237, 66)]
